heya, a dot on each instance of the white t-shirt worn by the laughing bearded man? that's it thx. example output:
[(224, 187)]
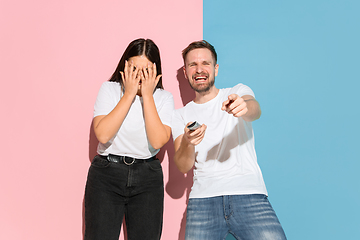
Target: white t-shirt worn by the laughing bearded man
[(226, 162)]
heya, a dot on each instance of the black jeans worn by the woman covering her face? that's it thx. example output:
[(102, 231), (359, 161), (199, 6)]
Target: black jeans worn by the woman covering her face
[(115, 189)]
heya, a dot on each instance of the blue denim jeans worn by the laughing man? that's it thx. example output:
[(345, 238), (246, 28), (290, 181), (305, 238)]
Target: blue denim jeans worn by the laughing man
[(246, 217)]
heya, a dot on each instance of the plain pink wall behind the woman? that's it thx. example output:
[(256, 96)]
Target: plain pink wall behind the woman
[(54, 57)]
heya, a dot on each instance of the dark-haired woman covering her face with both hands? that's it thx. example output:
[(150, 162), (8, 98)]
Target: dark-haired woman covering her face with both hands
[(132, 115)]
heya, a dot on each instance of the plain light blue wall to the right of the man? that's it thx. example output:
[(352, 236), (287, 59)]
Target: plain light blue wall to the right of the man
[(301, 58)]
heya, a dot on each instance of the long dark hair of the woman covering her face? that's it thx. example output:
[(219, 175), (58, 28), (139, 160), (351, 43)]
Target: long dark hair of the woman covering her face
[(139, 47)]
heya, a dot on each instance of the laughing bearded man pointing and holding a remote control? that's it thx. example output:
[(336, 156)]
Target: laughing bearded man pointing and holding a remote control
[(228, 194)]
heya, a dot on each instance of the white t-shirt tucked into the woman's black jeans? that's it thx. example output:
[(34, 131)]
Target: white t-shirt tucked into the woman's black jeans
[(131, 139)]
